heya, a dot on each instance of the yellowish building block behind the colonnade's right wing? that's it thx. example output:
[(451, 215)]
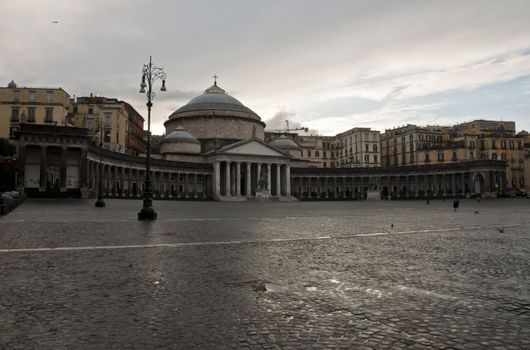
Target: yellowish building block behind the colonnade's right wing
[(476, 140)]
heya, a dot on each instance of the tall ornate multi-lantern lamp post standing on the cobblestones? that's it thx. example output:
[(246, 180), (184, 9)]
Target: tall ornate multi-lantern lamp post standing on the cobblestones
[(150, 74)]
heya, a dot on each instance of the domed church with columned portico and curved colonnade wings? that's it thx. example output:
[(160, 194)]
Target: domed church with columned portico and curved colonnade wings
[(214, 149)]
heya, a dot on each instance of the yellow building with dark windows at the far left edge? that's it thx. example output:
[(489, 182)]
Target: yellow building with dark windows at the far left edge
[(46, 106)]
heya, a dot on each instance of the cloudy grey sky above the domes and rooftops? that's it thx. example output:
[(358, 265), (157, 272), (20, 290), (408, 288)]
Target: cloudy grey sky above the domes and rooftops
[(325, 65)]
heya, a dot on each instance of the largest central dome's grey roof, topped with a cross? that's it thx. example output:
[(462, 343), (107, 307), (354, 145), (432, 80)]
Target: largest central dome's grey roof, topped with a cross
[(214, 98)]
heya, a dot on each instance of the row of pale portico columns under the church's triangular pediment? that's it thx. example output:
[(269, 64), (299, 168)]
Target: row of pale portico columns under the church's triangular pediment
[(246, 178)]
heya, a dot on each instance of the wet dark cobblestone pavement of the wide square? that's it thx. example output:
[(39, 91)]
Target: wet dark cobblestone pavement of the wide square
[(310, 275)]
